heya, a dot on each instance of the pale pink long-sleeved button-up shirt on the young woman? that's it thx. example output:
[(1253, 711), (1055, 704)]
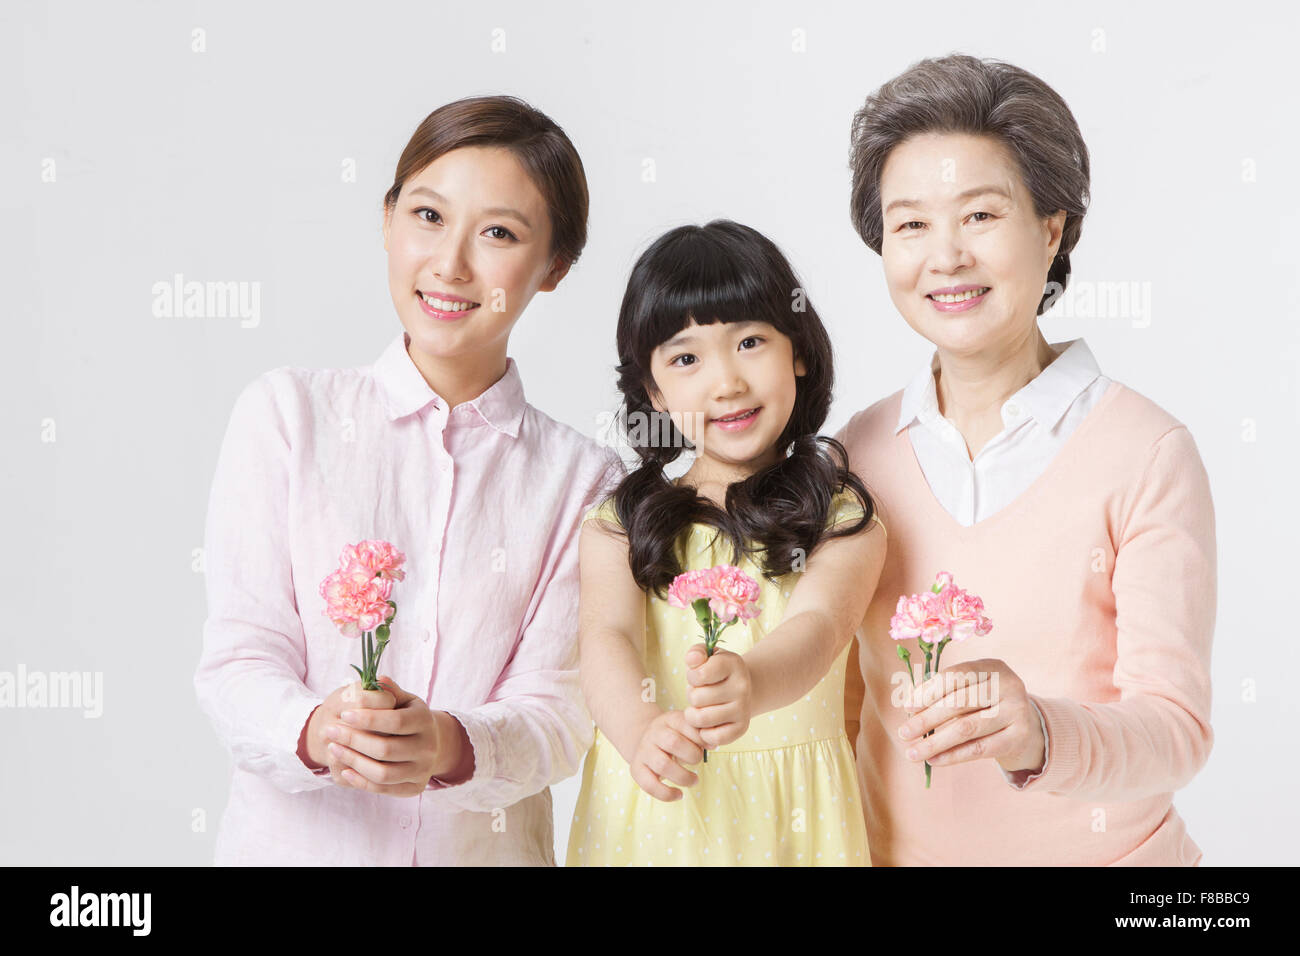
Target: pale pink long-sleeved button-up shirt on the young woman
[(486, 501)]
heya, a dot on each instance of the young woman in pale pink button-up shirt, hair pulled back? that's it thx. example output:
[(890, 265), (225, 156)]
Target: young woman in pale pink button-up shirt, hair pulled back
[(434, 449)]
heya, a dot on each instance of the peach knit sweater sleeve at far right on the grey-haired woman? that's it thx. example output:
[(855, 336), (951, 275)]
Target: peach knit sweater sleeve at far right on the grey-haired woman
[(1158, 737)]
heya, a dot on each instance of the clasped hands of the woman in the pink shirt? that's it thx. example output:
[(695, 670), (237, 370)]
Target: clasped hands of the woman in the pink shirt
[(396, 751)]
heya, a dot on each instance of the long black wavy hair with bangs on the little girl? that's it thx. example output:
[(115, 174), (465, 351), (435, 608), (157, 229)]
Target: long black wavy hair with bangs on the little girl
[(727, 272)]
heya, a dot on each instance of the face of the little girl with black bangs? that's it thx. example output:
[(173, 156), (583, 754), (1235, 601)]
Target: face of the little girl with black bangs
[(709, 374)]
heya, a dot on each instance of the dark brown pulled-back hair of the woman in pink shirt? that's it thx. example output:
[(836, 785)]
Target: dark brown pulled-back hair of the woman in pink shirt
[(540, 146)]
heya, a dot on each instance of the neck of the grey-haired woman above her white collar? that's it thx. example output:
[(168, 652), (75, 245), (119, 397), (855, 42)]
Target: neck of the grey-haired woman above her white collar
[(974, 387)]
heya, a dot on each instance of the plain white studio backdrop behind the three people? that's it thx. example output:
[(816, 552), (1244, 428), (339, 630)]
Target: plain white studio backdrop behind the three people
[(226, 166)]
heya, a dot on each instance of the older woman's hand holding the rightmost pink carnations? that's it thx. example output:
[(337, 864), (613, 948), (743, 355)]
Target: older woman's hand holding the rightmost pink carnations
[(977, 710)]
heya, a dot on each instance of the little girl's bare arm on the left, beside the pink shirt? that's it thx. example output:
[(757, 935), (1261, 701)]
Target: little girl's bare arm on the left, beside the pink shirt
[(612, 641)]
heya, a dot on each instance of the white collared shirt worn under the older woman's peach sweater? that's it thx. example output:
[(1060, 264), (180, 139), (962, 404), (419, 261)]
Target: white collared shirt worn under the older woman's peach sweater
[(1037, 422)]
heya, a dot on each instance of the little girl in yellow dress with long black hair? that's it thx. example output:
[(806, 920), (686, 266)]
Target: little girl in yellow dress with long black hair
[(720, 347)]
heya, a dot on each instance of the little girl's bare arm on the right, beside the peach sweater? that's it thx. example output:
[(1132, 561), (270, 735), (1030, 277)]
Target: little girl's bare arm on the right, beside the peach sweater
[(822, 617)]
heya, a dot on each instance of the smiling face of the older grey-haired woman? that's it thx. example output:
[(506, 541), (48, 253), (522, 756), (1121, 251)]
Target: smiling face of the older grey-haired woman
[(965, 254)]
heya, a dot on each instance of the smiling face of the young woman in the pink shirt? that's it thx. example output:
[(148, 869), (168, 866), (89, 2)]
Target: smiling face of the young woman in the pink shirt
[(473, 232)]
